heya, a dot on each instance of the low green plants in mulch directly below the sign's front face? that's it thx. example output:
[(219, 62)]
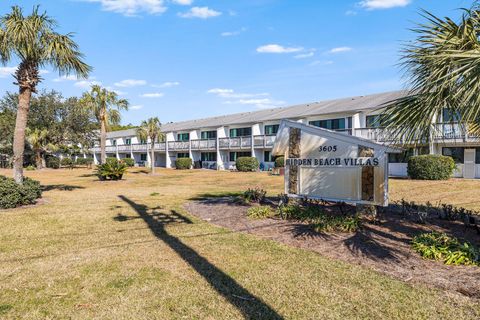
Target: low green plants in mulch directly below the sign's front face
[(320, 220)]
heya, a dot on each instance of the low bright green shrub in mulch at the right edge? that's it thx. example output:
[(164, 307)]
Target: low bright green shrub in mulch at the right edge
[(449, 250)]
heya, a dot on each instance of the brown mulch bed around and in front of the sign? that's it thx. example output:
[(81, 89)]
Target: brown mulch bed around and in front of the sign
[(384, 247)]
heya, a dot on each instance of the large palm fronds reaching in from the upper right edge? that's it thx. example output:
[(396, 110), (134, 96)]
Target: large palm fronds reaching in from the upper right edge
[(442, 66)]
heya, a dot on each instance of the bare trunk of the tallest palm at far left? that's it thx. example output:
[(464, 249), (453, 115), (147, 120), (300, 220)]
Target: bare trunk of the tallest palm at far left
[(24, 97)]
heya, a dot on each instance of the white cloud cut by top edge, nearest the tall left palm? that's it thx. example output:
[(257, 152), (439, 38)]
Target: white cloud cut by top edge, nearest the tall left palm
[(132, 7)]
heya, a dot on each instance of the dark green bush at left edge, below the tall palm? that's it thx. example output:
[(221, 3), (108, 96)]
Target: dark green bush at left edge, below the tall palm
[(14, 195)]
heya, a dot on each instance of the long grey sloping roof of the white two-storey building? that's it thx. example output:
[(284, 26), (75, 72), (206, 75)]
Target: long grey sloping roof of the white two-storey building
[(344, 105)]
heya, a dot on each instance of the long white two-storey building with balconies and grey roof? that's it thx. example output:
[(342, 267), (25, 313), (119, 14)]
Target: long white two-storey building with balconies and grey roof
[(216, 142)]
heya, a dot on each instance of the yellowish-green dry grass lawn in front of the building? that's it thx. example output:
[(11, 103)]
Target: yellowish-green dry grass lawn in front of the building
[(128, 250)]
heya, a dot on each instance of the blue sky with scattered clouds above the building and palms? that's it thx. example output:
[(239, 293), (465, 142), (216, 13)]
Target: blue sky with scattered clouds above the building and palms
[(186, 59)]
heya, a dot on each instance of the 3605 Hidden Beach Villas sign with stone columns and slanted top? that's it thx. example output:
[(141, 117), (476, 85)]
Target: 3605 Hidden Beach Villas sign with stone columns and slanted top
[(332, 166)]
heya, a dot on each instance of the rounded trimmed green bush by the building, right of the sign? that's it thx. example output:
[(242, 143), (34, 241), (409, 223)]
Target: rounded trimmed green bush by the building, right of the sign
[(430, 167)]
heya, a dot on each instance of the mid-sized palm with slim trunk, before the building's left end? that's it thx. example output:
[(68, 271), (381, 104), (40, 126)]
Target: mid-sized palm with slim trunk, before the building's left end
[(102, 102)]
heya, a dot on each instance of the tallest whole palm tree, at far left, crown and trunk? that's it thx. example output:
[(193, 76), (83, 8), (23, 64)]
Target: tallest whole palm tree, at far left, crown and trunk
[(33, 40)]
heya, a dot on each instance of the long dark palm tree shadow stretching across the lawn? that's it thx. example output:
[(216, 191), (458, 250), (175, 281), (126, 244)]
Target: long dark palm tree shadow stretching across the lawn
[(249, 305)]
